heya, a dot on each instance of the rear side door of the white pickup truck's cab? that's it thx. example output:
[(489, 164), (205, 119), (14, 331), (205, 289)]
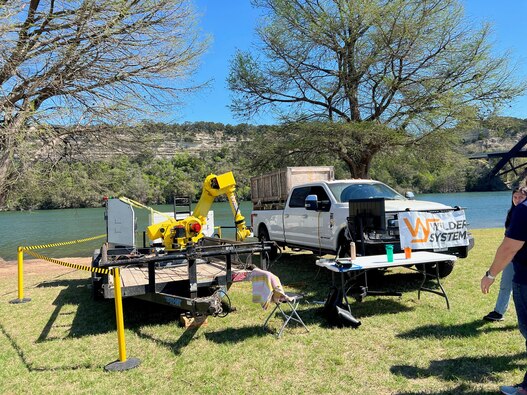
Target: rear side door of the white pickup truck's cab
[(296, 218)]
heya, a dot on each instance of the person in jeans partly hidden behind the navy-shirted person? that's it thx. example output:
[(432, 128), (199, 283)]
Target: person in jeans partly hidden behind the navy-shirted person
[(504, 295)]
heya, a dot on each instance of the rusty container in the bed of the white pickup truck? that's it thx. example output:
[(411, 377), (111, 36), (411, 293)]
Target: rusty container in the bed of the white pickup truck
[(273, 188)]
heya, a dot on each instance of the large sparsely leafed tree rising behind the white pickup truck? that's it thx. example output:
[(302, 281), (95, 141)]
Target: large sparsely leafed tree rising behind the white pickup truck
[(412, 65)]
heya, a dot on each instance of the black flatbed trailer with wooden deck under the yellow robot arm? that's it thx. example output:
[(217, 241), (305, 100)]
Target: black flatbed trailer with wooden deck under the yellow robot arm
[(194, 280)]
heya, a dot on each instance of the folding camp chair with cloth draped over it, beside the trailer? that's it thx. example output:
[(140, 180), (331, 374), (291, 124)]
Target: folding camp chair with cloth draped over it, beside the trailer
[(267, 289)]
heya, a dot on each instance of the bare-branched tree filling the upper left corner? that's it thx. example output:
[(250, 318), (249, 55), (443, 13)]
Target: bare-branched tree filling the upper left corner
[(82, 62)]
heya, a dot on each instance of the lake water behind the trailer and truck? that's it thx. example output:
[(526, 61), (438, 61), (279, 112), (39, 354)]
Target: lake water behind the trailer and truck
[(483, 210)]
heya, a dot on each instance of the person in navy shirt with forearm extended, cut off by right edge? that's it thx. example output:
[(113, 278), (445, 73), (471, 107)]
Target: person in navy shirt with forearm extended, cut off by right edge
[(513, 248)]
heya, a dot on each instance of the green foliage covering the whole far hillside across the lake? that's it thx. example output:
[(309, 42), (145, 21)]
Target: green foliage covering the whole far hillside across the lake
[(434, 163)]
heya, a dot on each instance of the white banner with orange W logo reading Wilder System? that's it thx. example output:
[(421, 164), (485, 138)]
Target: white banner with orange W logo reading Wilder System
[(438, 231)]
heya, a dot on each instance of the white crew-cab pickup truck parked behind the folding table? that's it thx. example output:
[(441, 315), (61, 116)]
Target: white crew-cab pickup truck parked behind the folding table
[(315, 217)]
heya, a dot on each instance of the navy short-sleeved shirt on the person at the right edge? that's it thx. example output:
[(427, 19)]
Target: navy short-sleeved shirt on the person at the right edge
[(517, 230)]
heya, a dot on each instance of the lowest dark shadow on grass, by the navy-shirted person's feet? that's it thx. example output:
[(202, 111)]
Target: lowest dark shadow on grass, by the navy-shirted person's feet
[(472, 369)]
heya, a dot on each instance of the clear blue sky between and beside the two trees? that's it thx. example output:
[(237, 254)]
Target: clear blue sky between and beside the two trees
[(231, 24)]
